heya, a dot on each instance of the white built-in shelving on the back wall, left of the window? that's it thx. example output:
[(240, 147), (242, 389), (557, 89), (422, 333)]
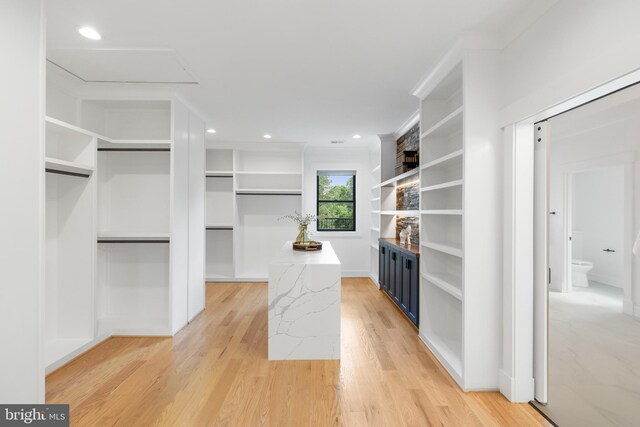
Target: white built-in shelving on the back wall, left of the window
[(247, 191)]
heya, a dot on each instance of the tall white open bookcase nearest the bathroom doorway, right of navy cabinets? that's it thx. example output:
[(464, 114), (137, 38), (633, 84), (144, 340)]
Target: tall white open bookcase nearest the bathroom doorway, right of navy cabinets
[(460, 253)]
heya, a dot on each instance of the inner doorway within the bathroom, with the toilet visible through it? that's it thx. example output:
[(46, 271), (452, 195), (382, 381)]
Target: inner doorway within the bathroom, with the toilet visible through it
[(588, 232)]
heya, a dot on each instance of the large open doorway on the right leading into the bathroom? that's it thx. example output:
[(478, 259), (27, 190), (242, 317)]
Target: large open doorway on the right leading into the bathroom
[(591, 222)]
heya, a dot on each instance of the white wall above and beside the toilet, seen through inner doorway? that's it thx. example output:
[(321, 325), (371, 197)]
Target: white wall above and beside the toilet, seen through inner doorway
[(598, 216)]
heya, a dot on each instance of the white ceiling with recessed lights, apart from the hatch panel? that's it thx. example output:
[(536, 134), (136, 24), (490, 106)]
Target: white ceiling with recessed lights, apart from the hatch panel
[(301, 70)]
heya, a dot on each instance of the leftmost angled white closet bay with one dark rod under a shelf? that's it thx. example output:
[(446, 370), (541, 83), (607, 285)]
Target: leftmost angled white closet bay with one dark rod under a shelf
[(70, 241)]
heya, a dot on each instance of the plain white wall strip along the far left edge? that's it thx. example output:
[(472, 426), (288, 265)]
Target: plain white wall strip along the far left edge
[(22, 201)]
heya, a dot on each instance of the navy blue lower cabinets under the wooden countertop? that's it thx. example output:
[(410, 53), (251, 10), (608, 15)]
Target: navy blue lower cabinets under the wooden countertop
[(399, 275)]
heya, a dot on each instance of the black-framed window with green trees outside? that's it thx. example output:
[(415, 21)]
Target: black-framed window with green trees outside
[(336, 200)]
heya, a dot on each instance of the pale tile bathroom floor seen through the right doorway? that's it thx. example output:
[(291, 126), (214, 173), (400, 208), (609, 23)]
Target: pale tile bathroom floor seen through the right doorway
[(594, 359)]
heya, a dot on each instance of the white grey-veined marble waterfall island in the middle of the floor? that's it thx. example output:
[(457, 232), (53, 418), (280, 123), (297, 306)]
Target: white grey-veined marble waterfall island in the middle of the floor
[(304, 304)]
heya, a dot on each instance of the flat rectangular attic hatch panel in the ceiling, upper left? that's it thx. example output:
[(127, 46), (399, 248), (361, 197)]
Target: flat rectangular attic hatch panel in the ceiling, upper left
[(160, 66)]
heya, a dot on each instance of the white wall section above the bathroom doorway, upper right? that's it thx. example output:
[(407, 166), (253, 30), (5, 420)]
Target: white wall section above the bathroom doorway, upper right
[(575, 46)]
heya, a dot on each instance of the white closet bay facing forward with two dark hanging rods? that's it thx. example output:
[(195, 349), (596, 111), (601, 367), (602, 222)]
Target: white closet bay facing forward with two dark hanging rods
[(135, 181)]
